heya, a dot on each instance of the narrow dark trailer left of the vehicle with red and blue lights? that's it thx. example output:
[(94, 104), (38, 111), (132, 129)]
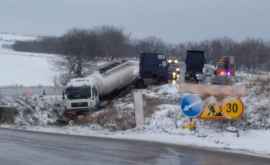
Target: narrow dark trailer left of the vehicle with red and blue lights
[(195, 61)]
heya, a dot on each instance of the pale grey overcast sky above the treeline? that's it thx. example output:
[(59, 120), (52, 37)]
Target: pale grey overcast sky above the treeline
[(172, 20)]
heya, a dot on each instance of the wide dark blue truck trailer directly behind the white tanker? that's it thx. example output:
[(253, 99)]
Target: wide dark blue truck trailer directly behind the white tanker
[(153, 68)]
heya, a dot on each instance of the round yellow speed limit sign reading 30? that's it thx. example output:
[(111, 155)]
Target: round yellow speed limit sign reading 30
[(232, 108)]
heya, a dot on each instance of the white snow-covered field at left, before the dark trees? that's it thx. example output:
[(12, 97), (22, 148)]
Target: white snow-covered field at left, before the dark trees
[(28, 69)]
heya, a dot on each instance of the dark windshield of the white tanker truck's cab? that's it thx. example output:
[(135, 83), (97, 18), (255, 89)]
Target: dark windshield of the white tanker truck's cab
[(78, 92)]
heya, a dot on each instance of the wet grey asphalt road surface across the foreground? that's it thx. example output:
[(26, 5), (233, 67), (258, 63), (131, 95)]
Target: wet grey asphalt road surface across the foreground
[(27, 148)]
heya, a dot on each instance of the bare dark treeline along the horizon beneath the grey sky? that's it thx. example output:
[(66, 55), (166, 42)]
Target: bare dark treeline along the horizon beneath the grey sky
[(79, 46)]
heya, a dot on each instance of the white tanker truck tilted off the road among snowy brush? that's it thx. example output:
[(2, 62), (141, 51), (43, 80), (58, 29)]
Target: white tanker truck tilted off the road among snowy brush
[(86, 93)]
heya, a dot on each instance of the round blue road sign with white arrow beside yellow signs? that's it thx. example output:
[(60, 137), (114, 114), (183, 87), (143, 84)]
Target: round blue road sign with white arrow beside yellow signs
[(191, 105)]
